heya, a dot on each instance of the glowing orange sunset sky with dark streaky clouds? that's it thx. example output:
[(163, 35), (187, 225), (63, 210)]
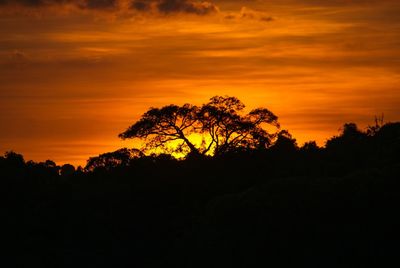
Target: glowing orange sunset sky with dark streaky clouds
[(76, 73)]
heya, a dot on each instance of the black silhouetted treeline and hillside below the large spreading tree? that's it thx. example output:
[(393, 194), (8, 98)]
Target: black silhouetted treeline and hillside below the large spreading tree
[(285, 205)]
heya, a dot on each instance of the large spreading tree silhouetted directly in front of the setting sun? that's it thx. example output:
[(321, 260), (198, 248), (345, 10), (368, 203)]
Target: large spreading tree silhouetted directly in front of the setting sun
[(219, 122)]
